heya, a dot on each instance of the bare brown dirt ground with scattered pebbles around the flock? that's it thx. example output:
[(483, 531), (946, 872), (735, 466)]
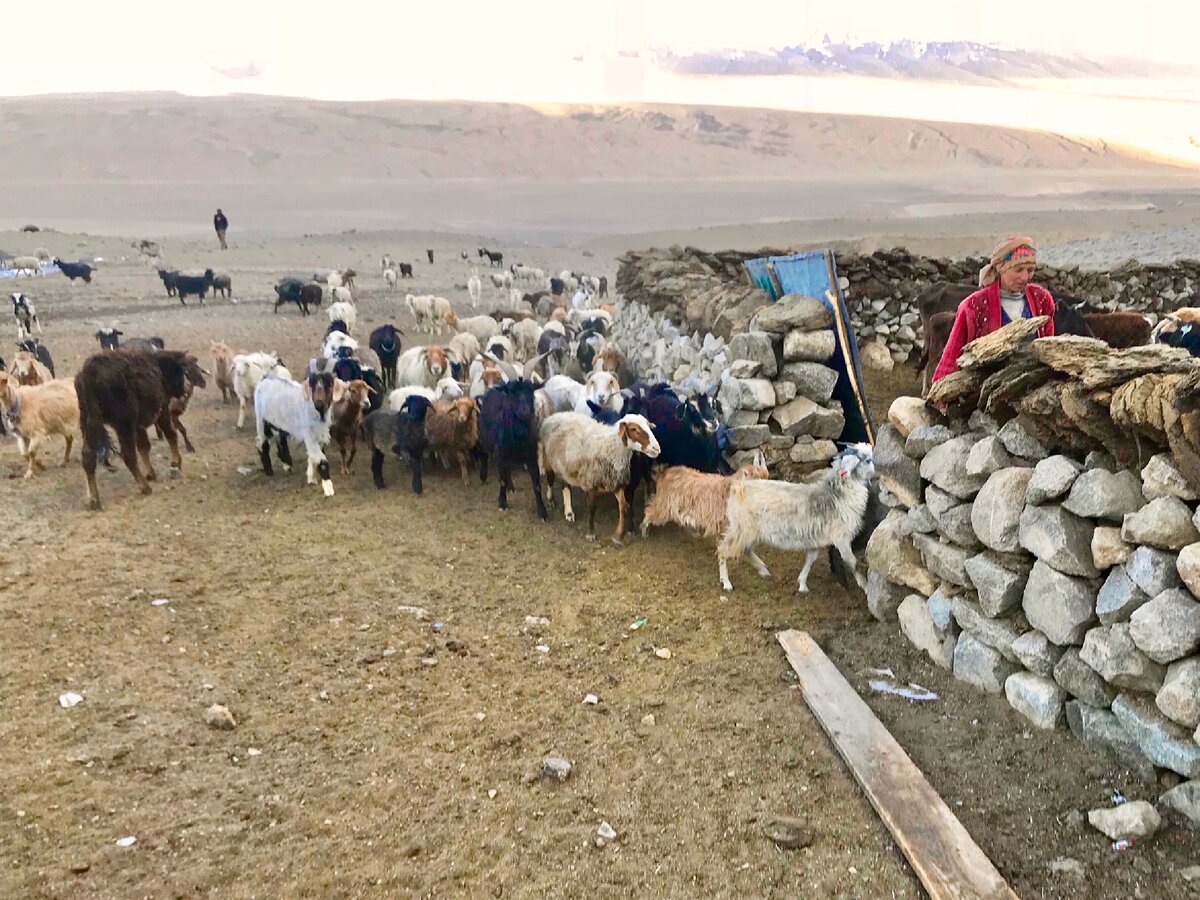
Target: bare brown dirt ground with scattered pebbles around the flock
[(371, 735)]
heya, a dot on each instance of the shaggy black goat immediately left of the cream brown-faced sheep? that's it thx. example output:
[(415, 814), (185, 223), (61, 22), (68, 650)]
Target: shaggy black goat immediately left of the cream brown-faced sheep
[(508, 435)]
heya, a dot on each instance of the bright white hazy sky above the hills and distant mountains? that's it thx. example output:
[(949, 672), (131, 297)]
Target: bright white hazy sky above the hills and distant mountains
[(520, 50)]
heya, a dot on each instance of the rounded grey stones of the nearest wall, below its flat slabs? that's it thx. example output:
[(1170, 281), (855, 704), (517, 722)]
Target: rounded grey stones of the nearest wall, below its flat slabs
[(1066, 585)]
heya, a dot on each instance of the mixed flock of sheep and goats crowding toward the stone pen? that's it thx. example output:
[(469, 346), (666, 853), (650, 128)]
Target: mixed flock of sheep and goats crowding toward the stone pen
[(536, 385)]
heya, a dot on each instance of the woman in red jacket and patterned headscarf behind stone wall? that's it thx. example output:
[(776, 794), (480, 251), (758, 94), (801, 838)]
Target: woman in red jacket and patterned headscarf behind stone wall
[(1006, 293)]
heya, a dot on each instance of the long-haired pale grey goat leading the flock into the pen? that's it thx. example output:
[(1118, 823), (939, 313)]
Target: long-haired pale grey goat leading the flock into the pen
[(799, 517)]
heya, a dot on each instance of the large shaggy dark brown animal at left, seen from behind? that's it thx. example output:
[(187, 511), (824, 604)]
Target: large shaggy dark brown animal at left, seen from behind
[(130, 392)]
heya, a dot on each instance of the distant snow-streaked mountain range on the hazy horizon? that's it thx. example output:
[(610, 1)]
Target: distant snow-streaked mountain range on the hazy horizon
[(964, 62)]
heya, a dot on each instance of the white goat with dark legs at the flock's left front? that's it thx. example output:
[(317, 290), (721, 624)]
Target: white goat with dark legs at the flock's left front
[(301, 411)]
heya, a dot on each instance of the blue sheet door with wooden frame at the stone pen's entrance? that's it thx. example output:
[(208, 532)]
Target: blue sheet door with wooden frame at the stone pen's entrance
[(815, 274)]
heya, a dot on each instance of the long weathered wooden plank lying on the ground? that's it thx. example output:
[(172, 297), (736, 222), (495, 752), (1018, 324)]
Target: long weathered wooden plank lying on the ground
[(940, 850)]
